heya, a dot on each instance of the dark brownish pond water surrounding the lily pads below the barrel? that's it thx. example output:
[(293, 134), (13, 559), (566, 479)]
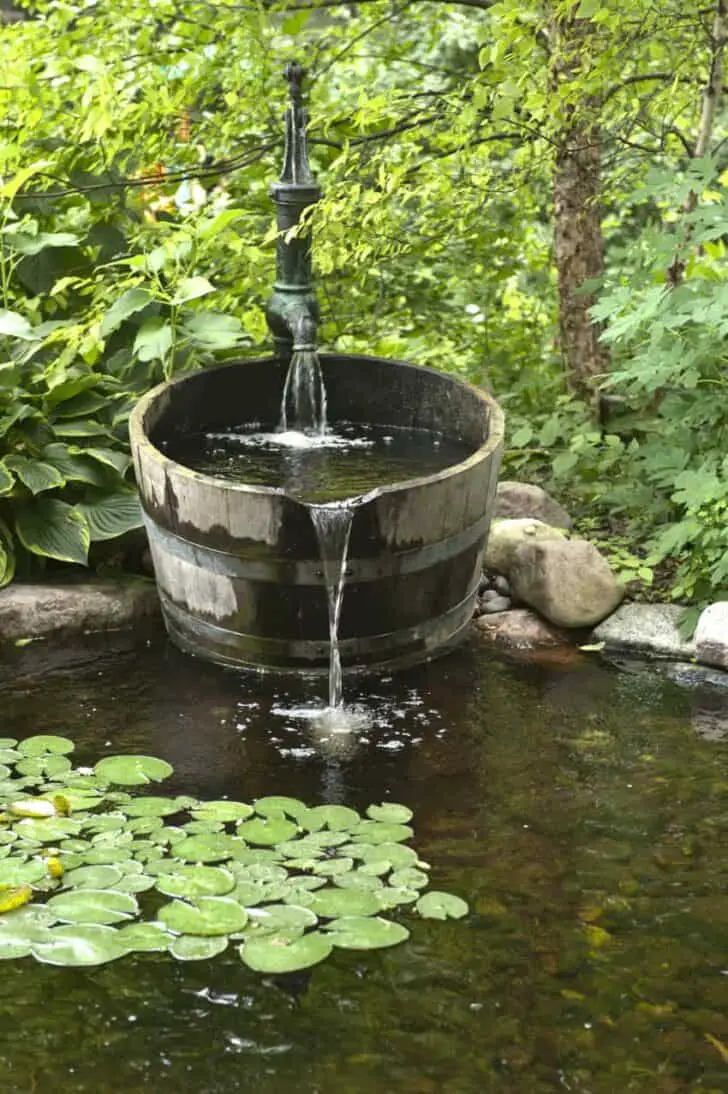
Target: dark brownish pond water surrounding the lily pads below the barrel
[(582, 811)]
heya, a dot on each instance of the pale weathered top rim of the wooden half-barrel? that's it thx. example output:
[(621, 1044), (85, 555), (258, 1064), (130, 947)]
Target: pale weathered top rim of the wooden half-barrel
[(141, 441)]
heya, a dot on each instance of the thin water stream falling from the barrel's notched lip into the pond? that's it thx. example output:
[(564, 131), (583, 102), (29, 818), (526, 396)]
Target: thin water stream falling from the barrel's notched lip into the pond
[(333, 526)]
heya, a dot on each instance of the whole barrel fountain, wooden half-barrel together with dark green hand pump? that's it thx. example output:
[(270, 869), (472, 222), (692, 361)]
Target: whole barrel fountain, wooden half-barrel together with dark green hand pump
[(258, 575)]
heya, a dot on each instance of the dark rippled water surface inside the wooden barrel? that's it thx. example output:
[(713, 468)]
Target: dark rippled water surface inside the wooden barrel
[(352, 462)]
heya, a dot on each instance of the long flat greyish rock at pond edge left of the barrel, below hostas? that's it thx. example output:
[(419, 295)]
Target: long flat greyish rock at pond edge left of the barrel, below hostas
[(37, 611)]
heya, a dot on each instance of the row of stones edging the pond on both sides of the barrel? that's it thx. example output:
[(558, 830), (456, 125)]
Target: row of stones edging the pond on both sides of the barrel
[(540, 590)]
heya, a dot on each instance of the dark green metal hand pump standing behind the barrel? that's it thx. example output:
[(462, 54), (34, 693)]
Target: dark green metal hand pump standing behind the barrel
[(293, 311)]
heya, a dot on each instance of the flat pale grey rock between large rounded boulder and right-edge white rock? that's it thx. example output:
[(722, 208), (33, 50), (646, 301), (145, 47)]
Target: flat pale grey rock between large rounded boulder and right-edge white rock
[(646, 629)]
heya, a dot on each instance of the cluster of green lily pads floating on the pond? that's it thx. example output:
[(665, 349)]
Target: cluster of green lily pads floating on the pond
[(91, 869)]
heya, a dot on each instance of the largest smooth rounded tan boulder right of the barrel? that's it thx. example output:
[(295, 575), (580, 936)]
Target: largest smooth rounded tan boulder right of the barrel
[(568, 581)]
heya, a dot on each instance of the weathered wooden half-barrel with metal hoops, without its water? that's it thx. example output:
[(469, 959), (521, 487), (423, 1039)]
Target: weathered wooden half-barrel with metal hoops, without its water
[(238, 567)]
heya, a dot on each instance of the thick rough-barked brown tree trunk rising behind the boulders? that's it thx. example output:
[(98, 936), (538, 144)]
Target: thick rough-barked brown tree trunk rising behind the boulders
[(579, 241)]
